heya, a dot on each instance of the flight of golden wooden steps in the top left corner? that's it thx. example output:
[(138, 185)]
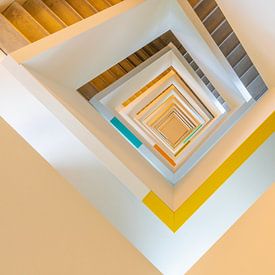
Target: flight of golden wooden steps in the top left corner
[(24, 22)]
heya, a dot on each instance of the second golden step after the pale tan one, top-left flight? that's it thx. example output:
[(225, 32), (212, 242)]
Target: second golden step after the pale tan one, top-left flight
[(43, 15)]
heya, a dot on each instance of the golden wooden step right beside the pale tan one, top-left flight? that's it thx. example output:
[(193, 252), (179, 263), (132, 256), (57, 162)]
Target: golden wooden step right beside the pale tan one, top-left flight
[(24, 22)]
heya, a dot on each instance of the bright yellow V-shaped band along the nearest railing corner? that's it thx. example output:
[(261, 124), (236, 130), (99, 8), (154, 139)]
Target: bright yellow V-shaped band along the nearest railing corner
[(175, 219)]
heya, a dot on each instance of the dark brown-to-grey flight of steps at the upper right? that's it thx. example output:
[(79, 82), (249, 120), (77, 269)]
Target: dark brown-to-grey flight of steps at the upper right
[(218, 27)]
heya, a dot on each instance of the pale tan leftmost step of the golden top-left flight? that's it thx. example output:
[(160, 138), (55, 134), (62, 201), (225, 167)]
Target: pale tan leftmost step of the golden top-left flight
[(10, 38)]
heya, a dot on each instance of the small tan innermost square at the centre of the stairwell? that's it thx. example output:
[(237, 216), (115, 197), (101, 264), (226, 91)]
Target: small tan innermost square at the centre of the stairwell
[(173, 129)]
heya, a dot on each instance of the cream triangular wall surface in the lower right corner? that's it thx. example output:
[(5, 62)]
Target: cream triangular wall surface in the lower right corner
[(248, 248)]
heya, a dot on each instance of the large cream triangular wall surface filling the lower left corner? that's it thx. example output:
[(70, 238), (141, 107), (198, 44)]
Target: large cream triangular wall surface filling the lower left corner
[(47, 227)]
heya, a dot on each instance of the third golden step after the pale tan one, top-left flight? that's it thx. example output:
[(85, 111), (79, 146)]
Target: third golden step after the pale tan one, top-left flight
[(64, 11)]
